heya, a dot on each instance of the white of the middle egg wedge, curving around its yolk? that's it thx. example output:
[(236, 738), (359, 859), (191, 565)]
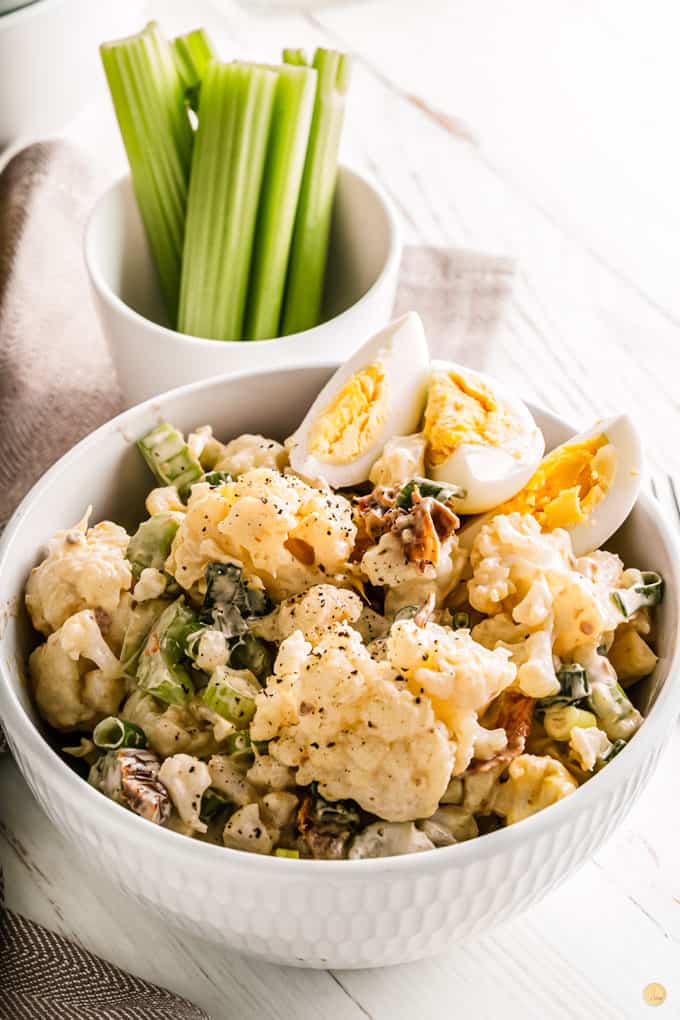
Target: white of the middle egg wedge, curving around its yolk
[(492, 474)]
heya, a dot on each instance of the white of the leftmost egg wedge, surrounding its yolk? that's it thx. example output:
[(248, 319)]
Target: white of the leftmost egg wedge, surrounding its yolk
[(402, 350)]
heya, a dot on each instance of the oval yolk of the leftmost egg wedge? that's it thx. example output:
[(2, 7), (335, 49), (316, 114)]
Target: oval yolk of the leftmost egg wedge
[(352, 422)]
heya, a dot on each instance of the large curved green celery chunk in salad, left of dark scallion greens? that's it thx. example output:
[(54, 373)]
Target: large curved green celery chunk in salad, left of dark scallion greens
[(162, 672)]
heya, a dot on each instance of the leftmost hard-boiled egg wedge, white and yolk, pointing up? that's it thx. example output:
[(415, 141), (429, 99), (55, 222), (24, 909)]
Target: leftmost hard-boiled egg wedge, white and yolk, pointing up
[(379, 394)]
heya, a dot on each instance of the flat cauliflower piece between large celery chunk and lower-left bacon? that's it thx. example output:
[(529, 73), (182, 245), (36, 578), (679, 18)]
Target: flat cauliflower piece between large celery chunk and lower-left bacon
[(175, 729)]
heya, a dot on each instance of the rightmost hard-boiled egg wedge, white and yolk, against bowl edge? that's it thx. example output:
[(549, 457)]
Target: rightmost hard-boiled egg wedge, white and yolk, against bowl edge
[(588, 486)]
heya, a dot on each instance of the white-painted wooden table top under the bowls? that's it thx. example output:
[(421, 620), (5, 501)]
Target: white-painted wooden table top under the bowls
[(548, 131)]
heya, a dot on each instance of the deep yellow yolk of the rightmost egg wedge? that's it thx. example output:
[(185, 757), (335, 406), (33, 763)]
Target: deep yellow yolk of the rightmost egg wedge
[(568, 484)]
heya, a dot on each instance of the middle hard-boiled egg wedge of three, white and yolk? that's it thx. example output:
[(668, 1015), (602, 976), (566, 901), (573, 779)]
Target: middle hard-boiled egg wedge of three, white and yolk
[(480, 437)]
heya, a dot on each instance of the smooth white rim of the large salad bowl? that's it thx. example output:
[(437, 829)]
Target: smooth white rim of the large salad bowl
[(132, 828)]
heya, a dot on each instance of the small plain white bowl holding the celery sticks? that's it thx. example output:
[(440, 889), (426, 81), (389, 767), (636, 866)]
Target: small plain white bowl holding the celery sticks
[(363, 267)]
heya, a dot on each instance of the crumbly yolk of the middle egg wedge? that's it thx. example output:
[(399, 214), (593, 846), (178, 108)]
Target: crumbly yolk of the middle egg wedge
[(461, 411)]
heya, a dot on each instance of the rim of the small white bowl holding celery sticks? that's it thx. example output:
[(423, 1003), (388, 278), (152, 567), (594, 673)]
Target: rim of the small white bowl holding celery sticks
[(108, 294)]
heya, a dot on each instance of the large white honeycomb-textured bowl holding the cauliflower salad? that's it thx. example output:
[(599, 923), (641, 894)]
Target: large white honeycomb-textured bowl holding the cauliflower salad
[(311, 913)]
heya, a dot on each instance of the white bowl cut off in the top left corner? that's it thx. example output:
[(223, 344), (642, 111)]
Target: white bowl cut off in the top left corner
[(49, 62)]
